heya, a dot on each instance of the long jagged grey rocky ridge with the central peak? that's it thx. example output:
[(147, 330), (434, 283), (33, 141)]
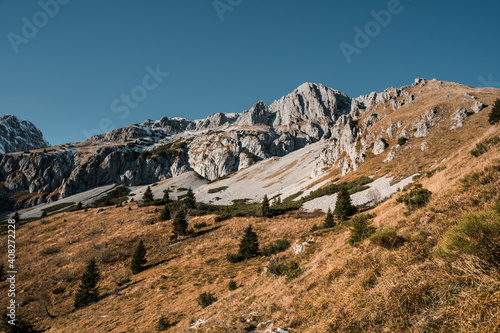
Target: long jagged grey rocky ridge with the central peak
[(225, 143)]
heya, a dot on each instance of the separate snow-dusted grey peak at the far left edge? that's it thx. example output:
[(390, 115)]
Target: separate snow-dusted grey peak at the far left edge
[(19, 135)]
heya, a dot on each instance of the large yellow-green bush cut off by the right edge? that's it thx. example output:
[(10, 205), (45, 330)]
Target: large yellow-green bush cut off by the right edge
[(475, 234)]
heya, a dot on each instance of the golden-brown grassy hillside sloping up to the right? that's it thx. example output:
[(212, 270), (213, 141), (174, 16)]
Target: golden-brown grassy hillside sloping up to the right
[(436, 271)]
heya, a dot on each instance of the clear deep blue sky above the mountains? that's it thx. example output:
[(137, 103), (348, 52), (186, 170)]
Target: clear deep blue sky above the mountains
[(72, 74)]
